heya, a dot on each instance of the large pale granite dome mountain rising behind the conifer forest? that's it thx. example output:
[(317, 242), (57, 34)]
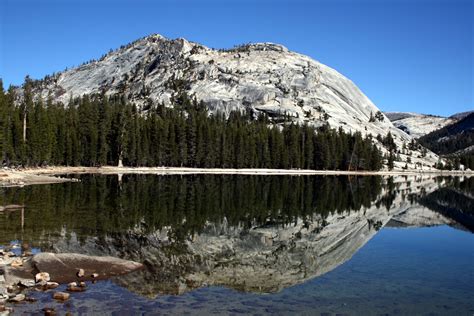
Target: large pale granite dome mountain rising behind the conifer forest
[(262, 77)]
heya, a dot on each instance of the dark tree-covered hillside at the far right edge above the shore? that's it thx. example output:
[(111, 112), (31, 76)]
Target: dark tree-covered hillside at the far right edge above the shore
[(457, 138)]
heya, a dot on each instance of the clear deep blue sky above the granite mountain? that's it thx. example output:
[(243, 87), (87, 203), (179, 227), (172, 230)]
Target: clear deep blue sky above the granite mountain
[(404, 55)]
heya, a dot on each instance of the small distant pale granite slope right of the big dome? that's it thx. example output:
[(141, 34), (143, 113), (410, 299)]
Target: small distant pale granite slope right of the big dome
[(418, 125)]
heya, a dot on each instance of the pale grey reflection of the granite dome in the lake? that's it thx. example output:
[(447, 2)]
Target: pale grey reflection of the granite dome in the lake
[(261, 257)]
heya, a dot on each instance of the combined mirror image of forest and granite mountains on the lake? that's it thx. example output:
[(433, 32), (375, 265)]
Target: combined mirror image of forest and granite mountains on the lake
[(250, 233)]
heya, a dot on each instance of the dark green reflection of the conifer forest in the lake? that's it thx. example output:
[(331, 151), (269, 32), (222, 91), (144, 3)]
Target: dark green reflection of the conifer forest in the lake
[(100, 205)]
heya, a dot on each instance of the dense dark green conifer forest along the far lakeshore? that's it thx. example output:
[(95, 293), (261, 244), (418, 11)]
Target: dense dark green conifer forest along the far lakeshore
[(97, 130)]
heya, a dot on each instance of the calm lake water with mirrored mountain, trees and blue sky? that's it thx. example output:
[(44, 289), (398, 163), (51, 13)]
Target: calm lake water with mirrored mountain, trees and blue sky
[(258, 244)]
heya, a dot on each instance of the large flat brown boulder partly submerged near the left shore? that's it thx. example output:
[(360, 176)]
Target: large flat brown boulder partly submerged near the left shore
[(63, 267)]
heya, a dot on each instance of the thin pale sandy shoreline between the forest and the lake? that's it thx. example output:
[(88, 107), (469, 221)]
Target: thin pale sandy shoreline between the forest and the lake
[(47, 175)]
